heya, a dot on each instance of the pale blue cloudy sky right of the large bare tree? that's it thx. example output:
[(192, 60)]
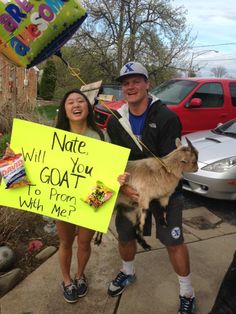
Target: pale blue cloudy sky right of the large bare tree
[(214, 24)]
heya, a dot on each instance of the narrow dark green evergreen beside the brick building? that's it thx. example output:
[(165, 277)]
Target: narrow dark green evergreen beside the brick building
[(48, 81)]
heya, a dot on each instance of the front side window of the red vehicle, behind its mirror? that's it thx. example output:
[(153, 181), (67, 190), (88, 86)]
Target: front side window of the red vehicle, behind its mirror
[(211, 95)]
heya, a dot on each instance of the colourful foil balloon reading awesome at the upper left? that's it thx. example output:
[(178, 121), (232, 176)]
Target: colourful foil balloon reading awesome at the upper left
[(31, 31)]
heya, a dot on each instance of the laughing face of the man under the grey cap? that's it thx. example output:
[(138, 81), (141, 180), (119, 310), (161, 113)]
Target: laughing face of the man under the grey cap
[(135, 89)]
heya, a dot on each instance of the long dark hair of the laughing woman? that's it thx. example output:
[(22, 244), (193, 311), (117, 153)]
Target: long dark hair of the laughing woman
[(63, 121)]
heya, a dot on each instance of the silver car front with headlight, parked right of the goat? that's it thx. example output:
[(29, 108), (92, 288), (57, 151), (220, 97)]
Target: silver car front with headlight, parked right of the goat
[(216, 177)]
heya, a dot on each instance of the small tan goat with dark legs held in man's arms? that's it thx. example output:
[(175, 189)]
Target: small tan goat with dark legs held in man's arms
[(154, 181)]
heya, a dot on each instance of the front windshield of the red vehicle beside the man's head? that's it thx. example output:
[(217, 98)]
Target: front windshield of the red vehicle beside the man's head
[(174, 91)]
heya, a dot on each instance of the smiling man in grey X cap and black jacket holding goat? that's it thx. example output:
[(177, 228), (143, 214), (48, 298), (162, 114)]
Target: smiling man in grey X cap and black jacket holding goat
[(157, 127)]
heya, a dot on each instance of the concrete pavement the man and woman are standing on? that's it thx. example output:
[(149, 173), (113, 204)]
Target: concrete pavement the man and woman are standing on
[(211, 245)]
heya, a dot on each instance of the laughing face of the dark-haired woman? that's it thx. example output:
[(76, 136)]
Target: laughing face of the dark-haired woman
[(76, 108)]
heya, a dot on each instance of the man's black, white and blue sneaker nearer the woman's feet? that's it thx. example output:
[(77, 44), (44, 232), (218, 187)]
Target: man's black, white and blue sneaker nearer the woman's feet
[(118, 285)]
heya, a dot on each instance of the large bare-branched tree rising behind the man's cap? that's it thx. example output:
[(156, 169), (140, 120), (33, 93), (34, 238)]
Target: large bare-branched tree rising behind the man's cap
[(116, 31)]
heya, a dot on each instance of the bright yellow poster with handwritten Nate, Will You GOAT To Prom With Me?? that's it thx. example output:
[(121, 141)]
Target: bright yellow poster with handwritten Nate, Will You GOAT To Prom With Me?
[(63, 168)]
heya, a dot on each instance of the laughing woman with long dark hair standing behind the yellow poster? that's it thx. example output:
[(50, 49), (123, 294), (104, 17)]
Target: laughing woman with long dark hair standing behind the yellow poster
[(76, 115)]
